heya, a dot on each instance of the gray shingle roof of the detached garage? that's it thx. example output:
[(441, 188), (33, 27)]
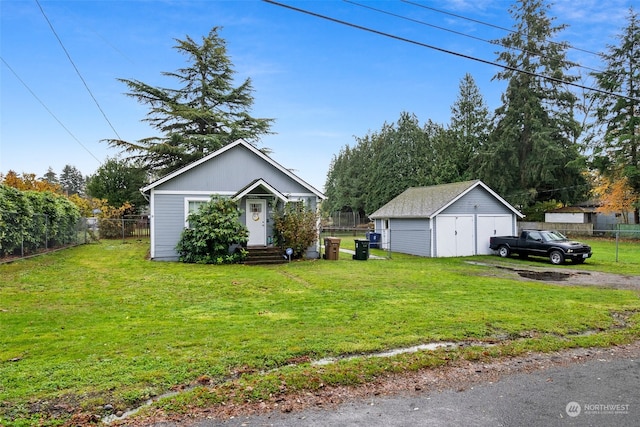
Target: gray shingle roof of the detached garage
[(421, 202)]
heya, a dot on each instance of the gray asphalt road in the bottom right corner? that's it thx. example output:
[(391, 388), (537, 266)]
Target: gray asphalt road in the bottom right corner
[(604, 391)]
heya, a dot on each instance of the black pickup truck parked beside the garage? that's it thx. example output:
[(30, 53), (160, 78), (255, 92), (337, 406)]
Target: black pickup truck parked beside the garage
[(541, 243)]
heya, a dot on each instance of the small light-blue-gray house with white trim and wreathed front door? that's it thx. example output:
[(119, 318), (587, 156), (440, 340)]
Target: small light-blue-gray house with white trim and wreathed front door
[(240, 171)]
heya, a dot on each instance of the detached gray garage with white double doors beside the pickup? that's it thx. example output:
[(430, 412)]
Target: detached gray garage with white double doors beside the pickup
[(445, 220)]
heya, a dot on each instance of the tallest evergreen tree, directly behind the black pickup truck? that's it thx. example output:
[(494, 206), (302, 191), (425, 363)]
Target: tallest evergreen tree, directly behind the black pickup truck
[(532, 155)]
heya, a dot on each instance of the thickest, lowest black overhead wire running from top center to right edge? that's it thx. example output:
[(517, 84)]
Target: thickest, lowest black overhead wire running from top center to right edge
[(439, 49)]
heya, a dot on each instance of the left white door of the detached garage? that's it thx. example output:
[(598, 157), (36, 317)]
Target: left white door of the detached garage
[(455, 236)]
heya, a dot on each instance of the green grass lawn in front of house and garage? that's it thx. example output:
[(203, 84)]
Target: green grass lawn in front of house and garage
[(101, 324)]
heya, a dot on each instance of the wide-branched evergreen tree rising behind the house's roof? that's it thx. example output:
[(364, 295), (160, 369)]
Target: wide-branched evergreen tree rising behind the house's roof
[(205, 113)]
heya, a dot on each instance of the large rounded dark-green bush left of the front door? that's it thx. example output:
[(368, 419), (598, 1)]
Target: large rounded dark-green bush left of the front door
[(215, 234)]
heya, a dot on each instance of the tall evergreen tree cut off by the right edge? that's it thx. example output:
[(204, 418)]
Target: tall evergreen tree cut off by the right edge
[(618, 154)]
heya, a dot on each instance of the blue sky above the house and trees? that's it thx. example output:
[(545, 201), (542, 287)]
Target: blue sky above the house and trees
[(323, 83)]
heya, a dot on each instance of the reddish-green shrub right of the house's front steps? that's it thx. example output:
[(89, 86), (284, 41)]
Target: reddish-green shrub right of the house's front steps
[(295, 227)]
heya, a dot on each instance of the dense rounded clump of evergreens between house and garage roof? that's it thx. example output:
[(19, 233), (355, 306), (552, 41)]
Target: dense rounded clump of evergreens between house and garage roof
[(385, 163)]
